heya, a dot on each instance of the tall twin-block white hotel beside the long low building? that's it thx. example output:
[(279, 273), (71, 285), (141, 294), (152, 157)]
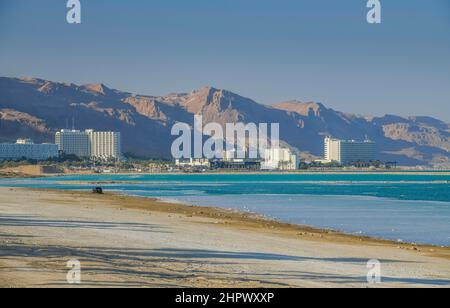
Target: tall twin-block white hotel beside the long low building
[(92, 144)]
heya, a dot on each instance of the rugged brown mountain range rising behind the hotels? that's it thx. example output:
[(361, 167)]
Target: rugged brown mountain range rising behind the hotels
[(37, 108)]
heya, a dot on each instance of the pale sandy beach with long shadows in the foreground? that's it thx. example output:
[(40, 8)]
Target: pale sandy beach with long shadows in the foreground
[(135, 242)]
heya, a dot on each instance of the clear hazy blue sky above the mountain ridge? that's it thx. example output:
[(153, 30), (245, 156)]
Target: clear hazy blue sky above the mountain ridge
[(269, 50)]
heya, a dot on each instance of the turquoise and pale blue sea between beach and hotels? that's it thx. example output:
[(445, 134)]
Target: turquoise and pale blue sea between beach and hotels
[(407, 207)]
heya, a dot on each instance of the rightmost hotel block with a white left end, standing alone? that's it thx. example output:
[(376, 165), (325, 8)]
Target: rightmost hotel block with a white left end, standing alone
[(346, 152)]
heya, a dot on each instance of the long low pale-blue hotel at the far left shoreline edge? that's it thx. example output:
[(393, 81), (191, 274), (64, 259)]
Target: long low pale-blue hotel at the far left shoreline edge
[(26, 148)]
